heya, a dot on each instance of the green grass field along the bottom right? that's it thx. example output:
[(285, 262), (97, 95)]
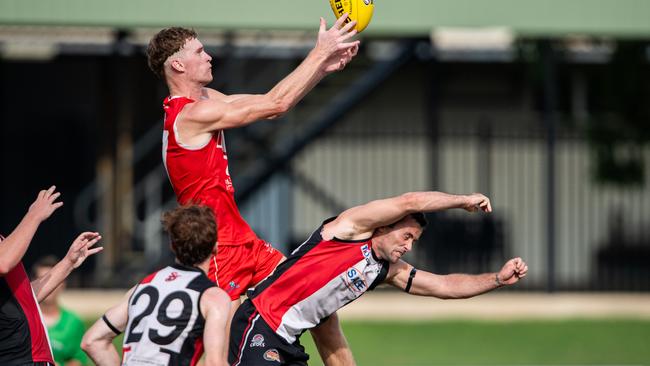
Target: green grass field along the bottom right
[(552, 342)]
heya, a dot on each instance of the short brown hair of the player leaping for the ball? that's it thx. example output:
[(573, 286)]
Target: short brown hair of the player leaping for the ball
[(164, 44)]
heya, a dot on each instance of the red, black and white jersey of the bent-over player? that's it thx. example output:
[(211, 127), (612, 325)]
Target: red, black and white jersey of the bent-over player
[(318, 278)]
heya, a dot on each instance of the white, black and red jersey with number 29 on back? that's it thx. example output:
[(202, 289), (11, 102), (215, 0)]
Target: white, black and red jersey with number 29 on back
[(165, 324)]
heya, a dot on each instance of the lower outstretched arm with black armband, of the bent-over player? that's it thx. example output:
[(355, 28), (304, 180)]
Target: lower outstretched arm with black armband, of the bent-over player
[(455, 286)]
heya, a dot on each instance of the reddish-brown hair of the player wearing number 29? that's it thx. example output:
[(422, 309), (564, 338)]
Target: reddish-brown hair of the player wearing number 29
[(192, 231)]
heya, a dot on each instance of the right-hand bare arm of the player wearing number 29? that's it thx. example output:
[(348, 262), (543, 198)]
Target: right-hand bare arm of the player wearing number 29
[(215, 307)]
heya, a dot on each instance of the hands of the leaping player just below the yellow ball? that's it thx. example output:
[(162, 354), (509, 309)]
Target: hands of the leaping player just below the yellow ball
[(334, 44)]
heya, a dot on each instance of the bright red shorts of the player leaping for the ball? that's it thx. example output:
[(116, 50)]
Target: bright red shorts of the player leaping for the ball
[(242, 266)]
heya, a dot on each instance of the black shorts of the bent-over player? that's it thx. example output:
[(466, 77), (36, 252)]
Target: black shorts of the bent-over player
[(253, 342)]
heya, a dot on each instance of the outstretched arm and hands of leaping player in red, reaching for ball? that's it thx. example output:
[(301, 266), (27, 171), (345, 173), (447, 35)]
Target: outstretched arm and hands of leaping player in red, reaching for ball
[(332, 52)]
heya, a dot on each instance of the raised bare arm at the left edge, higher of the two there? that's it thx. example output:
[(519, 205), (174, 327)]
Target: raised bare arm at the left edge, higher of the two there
[(13, 248)]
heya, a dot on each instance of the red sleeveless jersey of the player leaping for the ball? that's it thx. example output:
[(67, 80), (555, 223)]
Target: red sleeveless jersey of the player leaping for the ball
[(199, 175)]
